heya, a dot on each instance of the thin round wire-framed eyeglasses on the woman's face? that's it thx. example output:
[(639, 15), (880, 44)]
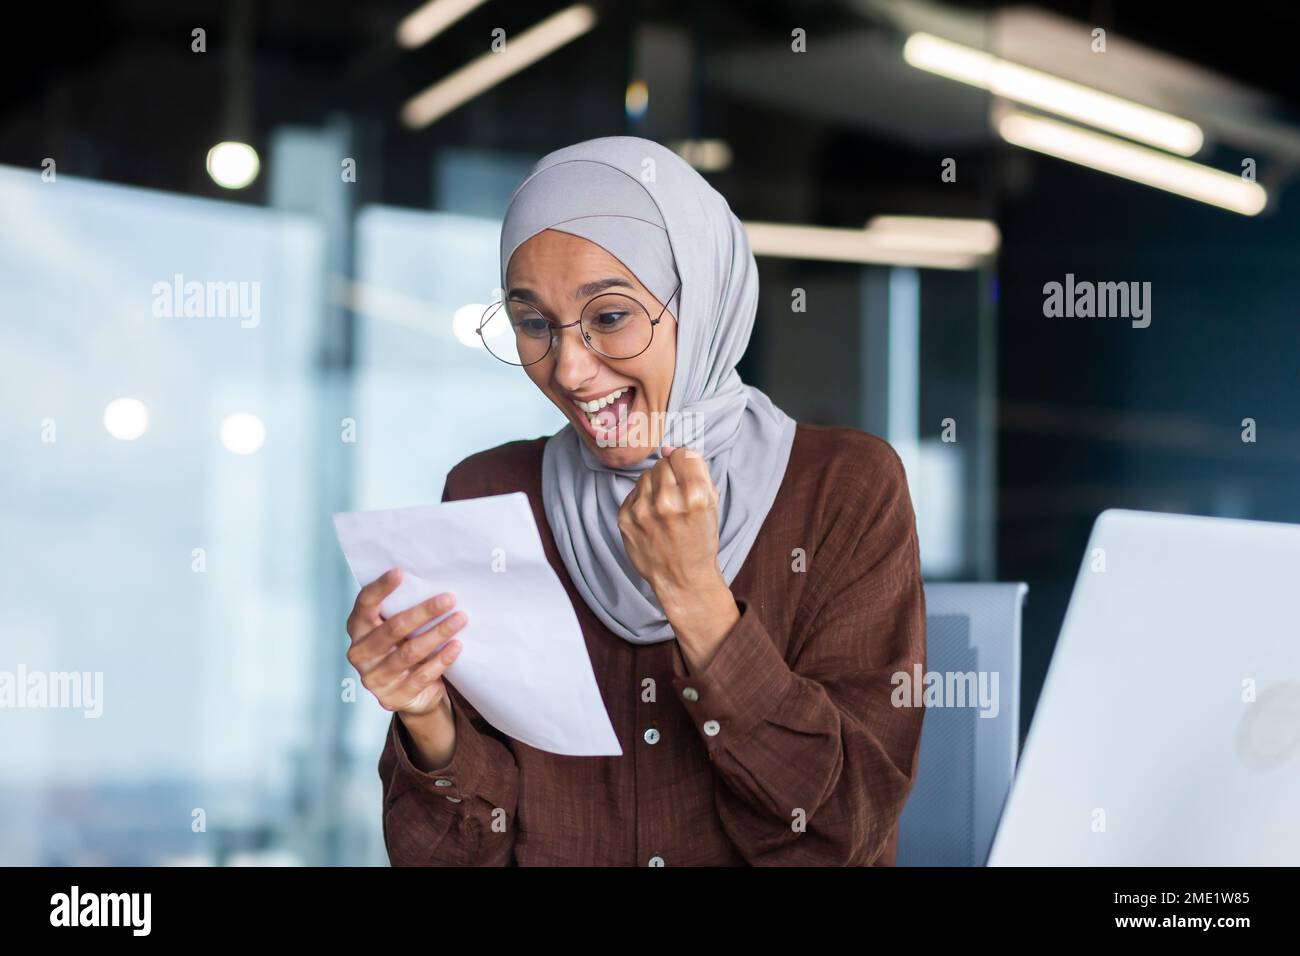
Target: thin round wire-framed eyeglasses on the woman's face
[(613, 325)]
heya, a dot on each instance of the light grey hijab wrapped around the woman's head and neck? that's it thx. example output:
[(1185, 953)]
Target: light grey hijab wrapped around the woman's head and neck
[(651, 210)]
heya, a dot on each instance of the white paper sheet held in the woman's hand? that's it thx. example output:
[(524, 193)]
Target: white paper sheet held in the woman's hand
[(525, 664)]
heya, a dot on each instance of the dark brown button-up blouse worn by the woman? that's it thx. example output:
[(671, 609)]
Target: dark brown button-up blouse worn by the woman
[(786, 751)]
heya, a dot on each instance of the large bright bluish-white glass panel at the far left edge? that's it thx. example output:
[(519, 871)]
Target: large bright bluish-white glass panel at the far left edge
[(158, 585)]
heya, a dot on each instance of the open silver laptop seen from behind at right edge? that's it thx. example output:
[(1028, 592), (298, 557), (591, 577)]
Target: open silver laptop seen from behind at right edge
[(1168, 732)]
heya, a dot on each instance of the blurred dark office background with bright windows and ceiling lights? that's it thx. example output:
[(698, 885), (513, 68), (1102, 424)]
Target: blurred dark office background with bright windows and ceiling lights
[(912, 176)]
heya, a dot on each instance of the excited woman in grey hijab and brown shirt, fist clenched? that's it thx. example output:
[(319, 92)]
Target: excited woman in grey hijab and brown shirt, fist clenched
[(748, 587)]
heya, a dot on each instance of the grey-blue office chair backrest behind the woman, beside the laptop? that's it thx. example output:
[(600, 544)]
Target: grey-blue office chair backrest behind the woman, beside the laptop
[(969, 743)]
